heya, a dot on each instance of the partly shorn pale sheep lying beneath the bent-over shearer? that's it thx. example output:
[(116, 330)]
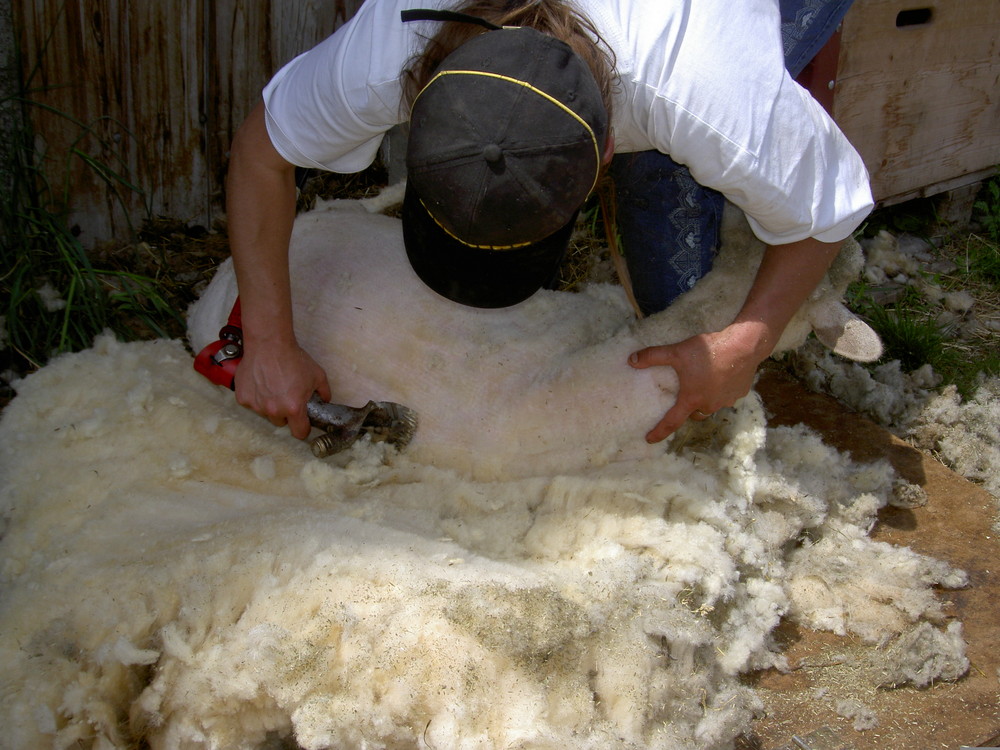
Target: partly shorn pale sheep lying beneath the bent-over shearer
[(559, 393)]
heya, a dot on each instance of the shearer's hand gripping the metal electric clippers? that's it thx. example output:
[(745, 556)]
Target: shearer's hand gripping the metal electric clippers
[(276, 381)]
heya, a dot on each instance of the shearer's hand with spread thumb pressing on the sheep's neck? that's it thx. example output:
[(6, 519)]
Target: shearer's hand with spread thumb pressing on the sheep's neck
[(714, 370)]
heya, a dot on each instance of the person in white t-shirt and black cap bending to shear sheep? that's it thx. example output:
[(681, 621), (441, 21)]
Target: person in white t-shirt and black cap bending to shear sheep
[(516, 109)]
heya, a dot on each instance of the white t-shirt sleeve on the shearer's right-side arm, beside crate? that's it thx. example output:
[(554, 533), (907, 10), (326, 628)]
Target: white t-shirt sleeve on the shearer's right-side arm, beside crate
[(737, 120)]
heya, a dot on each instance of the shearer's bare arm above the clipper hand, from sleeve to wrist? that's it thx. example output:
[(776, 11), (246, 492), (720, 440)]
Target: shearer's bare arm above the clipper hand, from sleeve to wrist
[(261, 209)]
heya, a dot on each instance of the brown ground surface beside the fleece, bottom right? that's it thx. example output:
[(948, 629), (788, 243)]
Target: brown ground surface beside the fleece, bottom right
[(955, 525)]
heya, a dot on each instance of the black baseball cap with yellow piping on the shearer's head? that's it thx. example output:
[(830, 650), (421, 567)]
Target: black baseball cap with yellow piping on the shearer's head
[(505, 145)]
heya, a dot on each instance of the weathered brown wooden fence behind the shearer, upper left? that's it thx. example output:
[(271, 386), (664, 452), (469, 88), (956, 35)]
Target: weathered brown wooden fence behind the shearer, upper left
[(153, 90)]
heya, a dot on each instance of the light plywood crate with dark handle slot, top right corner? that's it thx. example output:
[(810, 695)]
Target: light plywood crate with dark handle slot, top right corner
[(917, 90)]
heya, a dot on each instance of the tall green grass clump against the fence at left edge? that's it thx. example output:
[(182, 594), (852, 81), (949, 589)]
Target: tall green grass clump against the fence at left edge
[(53, 299)]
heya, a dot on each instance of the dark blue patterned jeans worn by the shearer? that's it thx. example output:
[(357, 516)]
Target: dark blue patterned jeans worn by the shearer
[(669, 224)]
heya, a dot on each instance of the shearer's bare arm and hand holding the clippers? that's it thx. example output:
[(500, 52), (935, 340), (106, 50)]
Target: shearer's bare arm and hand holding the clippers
[(276, 377)]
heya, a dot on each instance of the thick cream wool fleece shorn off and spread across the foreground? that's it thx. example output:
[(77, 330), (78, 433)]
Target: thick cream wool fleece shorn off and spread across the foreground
[(156, 588)]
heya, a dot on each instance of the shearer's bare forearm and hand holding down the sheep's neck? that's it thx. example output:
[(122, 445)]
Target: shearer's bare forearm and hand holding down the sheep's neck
[(716, 369)]
